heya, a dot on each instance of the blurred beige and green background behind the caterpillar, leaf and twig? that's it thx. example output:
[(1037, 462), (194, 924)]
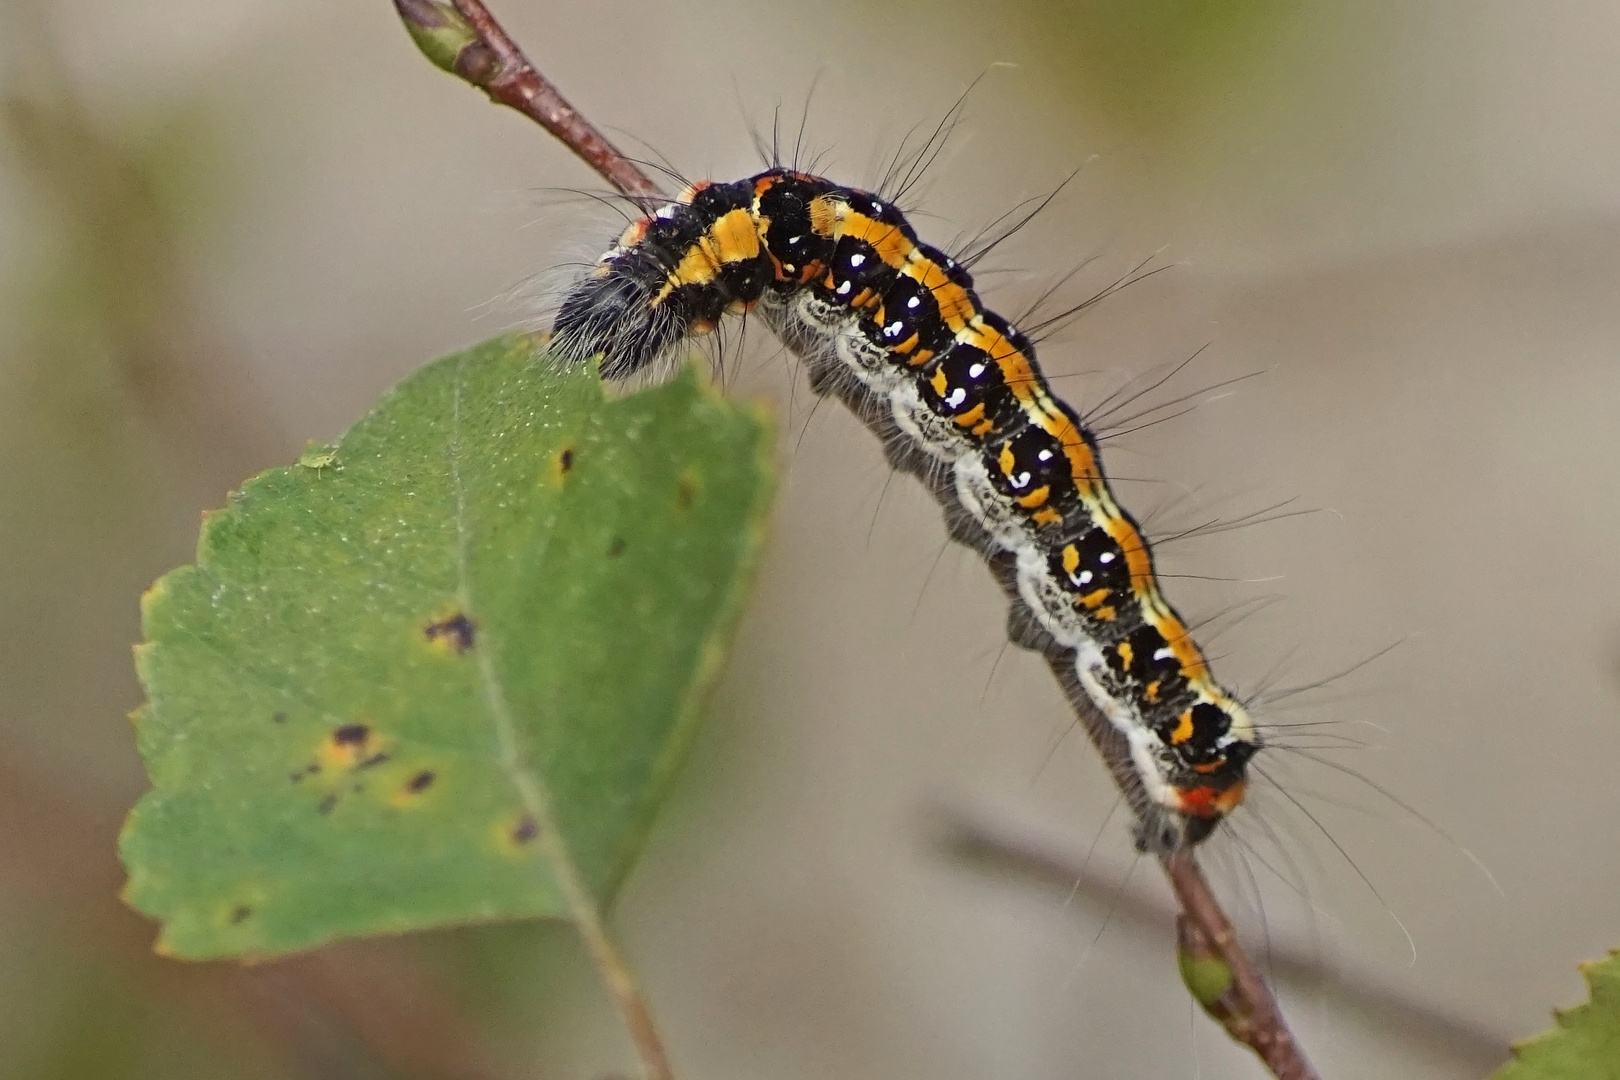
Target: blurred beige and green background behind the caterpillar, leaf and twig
[(228, 226)]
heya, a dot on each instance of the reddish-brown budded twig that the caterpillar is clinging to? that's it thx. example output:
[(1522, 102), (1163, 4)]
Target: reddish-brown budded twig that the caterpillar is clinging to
[(467, 41)]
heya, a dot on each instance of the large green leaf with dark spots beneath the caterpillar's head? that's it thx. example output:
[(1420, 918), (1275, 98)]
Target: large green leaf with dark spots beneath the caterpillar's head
[(493, 608)]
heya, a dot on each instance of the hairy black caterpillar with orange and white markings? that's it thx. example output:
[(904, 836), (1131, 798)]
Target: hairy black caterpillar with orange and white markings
[(893, 328)]
